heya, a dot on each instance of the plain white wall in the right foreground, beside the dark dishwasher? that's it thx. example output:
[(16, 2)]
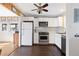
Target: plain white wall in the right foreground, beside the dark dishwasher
[(72, 28)]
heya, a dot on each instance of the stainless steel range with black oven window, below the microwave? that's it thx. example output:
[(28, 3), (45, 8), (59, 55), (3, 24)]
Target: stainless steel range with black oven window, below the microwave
[(43, 37)]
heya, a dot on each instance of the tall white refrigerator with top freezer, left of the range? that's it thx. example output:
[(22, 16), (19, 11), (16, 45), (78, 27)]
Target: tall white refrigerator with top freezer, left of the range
[(27, 28)]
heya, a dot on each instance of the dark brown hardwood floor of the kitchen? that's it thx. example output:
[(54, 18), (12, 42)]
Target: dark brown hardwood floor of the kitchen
[(37, 50)]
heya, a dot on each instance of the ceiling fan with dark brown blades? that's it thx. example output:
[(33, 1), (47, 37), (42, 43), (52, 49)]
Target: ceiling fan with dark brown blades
[(40, 7)]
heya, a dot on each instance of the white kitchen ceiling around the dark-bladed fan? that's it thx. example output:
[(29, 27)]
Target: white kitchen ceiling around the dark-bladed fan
[(54, 9)]
